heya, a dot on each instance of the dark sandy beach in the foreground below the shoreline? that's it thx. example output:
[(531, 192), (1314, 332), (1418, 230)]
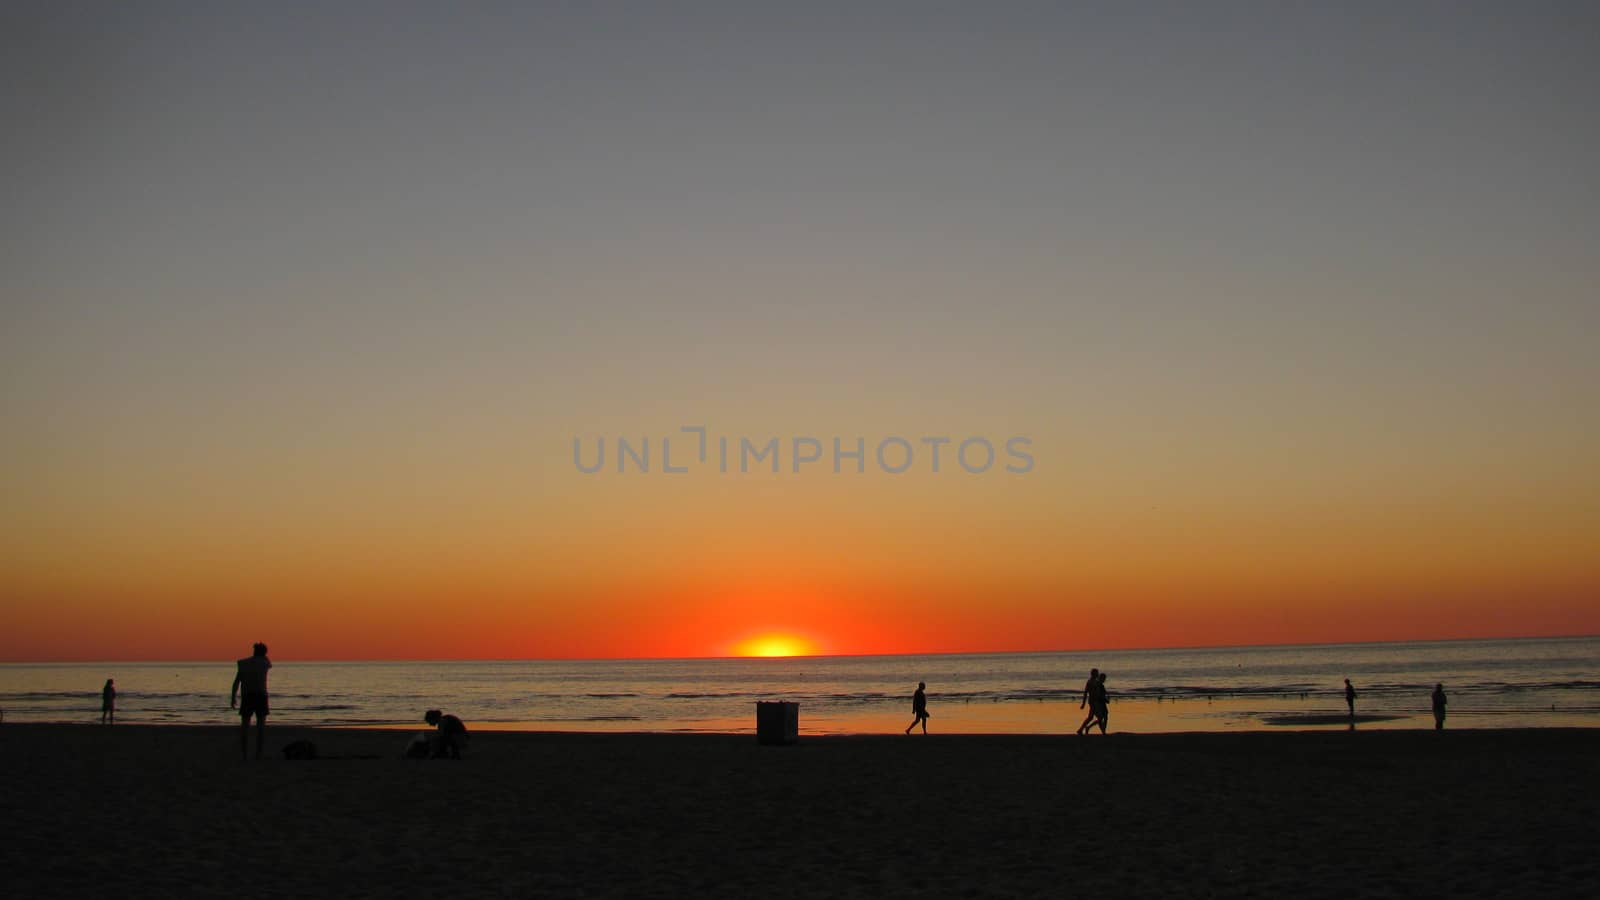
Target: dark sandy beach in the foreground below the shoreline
[(174, 813)]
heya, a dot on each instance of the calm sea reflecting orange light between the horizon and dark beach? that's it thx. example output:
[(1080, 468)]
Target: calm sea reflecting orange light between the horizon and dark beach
[(1490, 685)]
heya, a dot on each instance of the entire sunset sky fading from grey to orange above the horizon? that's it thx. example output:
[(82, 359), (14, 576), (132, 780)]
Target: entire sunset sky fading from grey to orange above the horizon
[(303, 310)]
